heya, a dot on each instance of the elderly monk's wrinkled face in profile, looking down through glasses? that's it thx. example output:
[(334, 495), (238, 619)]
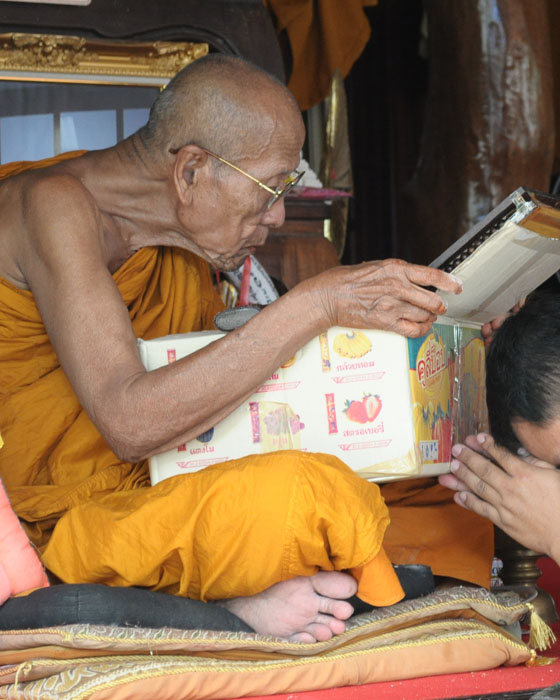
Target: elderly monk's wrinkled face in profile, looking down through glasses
[(231, 218)]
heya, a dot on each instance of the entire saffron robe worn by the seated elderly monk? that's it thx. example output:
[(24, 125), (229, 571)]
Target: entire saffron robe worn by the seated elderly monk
[(54, 462)]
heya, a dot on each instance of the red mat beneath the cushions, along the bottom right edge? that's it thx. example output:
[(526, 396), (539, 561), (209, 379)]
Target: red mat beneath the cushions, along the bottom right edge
[(499, 680)]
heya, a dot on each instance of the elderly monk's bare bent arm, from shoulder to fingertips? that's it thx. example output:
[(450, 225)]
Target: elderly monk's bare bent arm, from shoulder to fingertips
[(141, 413)]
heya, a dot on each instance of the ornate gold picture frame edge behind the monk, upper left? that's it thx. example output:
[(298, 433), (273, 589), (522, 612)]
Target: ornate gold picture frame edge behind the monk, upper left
[(73, 59)]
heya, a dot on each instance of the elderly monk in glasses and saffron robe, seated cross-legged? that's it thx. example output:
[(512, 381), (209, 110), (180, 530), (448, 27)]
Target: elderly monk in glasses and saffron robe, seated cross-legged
[(117, 244)]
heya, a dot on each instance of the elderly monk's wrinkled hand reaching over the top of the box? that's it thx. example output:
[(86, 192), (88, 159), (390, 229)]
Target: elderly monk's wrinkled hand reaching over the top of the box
[(387, 295)]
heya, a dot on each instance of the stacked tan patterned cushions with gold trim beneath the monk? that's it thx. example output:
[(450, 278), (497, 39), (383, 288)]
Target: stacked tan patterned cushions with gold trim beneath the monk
[(448, 632)]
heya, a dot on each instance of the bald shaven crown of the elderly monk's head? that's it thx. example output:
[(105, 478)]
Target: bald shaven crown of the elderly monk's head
[(221, 103)]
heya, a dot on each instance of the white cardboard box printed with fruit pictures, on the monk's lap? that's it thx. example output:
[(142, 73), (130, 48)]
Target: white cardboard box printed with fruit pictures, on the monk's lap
[(388, 406)]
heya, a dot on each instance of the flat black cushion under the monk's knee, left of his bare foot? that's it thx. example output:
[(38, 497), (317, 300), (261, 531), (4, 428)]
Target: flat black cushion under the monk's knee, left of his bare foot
[(96, 604)]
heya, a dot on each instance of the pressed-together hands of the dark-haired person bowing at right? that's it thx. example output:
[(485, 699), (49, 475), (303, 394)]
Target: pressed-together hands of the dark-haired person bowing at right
[(519, 495)]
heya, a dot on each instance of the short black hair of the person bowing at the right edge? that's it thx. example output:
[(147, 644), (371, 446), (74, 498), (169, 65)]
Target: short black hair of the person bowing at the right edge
[(523, 369)]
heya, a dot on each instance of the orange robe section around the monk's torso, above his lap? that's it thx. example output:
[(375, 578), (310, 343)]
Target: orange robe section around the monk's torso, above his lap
[(54, 458)]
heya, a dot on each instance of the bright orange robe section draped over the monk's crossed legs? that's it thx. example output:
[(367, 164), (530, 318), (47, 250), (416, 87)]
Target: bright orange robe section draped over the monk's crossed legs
[(232, 529)]
